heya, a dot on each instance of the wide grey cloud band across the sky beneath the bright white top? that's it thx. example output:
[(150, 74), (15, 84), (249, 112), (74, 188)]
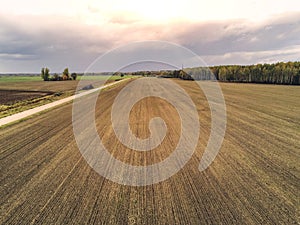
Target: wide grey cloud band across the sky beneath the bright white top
[(30, 42)]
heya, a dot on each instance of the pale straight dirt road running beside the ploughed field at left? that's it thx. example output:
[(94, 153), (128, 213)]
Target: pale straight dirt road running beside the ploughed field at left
[(30, 112)]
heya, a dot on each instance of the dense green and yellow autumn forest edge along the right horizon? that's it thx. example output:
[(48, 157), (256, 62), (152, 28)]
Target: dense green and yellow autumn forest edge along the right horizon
[(277, 73)]
